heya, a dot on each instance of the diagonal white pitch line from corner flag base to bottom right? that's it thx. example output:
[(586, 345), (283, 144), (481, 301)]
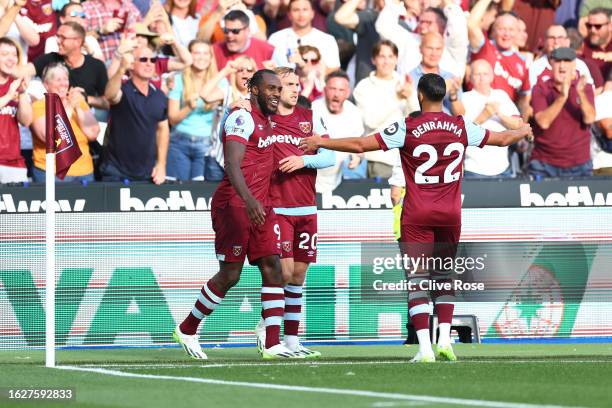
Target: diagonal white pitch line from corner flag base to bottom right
[(319, 390)]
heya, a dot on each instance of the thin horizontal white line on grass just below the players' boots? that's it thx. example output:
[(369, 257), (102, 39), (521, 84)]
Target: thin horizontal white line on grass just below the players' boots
[(312, 363)]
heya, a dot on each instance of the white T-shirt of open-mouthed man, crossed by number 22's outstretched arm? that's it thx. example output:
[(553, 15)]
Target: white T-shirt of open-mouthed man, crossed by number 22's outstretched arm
[(349, 123)]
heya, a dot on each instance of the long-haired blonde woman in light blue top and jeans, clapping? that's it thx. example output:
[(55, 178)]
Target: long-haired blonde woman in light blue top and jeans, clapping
[(191, 111)]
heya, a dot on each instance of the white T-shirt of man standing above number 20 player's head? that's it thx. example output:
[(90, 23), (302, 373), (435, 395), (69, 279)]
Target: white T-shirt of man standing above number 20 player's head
[(286, 39)]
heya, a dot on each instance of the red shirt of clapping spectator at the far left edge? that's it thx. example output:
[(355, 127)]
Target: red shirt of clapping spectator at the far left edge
[(10, 142)]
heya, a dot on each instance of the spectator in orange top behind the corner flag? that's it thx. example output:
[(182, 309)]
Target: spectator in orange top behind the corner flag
[(82, 121)]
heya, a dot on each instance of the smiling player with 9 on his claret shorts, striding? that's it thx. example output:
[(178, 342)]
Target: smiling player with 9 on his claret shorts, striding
[(244, 221)]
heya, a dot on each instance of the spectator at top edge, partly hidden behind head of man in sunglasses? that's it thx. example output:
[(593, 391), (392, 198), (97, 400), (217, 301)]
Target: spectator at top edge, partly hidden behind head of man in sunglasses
[(212, 24)]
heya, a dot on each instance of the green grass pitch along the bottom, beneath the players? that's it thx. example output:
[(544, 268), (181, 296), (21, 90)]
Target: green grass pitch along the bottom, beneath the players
[(487, 375)]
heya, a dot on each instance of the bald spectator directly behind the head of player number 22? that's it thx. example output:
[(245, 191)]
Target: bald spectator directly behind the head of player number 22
[(431, 48)]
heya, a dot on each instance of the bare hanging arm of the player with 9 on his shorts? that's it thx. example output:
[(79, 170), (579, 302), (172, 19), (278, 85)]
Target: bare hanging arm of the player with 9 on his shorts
[(234, 153)]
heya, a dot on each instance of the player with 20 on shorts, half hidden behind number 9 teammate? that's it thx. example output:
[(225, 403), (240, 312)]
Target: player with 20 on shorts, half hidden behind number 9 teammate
[(293, 196)]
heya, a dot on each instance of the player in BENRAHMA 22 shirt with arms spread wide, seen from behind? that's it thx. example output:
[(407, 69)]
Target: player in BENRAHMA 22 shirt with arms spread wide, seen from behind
[(432, 147)]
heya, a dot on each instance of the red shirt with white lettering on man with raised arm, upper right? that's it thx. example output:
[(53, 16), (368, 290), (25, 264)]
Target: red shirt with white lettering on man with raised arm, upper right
[(510, 74)]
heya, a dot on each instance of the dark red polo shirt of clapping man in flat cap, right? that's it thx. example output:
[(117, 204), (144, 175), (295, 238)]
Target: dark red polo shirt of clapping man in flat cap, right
[(566, 142)]
